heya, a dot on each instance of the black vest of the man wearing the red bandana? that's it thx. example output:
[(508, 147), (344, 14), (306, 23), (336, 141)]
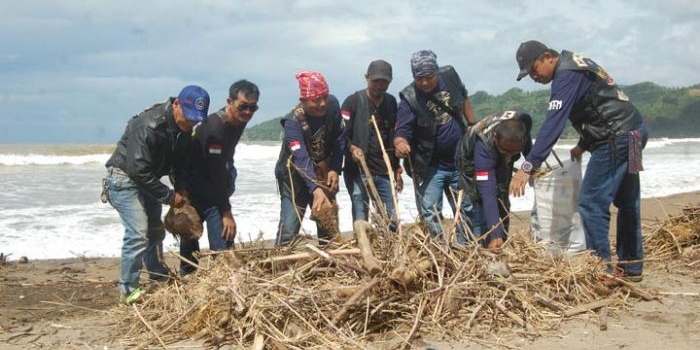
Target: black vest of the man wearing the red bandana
[(319, 149)]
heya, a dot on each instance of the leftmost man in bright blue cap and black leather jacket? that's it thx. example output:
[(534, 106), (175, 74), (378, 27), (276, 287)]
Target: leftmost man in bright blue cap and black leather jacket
[(155, 143)]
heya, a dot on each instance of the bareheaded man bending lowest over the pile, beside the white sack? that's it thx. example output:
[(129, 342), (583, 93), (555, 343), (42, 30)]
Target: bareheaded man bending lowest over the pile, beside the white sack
[(485, 158)]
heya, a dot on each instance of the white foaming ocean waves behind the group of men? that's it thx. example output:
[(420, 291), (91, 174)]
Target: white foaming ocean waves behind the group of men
[(50, 195)]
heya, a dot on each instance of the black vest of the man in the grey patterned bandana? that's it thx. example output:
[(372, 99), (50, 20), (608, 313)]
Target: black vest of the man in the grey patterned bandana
[(424, 131)]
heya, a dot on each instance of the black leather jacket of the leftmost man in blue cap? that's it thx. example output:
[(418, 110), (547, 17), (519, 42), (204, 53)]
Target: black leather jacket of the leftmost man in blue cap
[(151, 147)]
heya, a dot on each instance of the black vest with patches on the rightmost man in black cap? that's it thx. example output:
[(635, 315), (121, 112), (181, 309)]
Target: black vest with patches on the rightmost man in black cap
[(605, 111)]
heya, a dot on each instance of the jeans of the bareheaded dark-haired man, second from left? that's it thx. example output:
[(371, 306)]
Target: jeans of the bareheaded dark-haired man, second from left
[(217, 242)]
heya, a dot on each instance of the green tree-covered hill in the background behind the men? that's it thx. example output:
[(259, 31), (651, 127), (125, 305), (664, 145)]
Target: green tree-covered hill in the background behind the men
[(669, 112)]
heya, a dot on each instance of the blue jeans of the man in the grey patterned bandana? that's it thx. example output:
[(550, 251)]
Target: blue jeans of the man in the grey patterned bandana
[(429, 197)]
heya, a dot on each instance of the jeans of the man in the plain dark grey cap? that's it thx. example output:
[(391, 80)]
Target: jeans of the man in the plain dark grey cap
[(355, 184)]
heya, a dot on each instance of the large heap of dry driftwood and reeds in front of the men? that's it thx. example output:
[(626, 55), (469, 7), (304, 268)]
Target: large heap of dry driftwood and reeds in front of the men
[(377, 289)]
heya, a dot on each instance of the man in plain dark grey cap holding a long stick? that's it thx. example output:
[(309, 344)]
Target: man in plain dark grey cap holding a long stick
[(358, 111)]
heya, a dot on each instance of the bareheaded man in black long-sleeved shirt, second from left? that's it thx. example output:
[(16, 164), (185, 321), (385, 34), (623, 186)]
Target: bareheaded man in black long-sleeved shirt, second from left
[(210, 169)]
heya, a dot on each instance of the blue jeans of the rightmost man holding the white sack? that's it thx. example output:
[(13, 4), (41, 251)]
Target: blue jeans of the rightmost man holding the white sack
[(607, 181)]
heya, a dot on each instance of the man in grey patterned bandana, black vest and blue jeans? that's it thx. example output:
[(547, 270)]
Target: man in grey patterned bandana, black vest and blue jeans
[(433, 114)]
